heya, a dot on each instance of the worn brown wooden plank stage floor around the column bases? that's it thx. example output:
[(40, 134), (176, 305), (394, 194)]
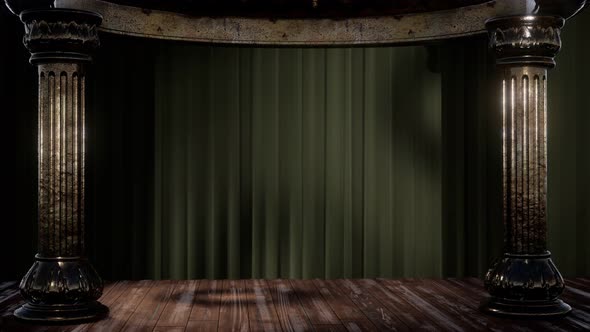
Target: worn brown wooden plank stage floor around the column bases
[(303, 305)]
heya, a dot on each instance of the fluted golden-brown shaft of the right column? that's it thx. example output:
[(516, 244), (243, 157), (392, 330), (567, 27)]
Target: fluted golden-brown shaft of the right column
[(524, 149)]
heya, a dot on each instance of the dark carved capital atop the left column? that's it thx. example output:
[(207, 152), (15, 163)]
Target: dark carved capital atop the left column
[(60, 35)]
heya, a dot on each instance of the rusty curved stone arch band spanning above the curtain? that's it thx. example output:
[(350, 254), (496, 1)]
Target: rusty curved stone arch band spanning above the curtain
[(312, 30)]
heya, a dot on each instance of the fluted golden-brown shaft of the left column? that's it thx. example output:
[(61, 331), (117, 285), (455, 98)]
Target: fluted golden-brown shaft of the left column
[(61, 159)]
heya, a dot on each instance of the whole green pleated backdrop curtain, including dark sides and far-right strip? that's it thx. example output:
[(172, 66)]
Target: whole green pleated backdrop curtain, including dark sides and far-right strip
[(215, 162)]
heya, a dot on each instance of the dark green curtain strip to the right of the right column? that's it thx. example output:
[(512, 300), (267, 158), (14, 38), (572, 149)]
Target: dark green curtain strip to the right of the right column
[(568, 181)]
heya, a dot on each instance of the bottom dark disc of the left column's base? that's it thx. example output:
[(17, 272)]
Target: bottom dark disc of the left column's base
[(61, 313)]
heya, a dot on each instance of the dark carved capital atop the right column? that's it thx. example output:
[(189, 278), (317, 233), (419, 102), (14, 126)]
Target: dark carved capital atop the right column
[(525, 40)]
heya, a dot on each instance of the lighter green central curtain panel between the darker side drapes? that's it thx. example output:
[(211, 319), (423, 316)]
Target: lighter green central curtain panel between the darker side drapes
[(300, 163)]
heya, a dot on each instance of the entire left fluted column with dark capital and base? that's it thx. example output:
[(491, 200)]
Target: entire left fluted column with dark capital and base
[(61, 285)]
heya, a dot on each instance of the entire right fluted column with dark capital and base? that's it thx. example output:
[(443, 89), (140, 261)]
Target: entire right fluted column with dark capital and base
[(525, 282)]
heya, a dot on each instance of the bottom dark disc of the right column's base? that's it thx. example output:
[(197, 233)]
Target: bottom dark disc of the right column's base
[(525, 309)]
